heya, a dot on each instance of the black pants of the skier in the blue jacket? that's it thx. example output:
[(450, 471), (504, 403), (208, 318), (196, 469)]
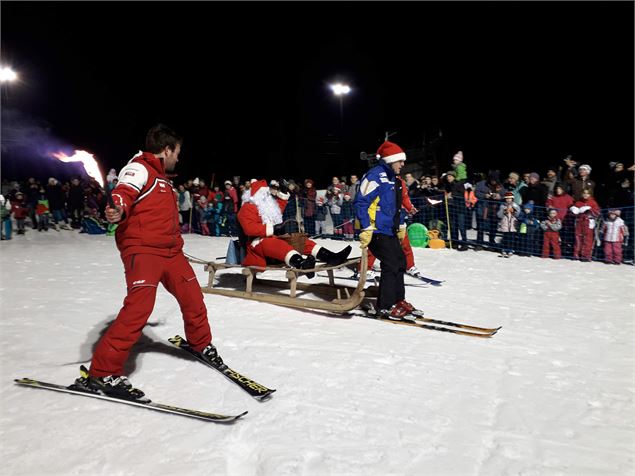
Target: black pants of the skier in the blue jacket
[(388, 251)]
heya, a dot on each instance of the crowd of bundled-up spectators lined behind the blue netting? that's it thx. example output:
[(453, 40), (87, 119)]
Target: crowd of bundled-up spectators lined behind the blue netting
[(563, 213)]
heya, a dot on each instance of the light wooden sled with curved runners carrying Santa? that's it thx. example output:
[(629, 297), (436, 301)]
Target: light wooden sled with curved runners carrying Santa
[(334, 298)]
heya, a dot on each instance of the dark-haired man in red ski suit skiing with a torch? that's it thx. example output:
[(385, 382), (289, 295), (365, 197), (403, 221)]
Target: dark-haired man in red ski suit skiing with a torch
[(149, 240)]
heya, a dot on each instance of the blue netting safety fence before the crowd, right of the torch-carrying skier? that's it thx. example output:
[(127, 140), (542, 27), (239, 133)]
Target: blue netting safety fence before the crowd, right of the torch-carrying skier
[(525, 230)]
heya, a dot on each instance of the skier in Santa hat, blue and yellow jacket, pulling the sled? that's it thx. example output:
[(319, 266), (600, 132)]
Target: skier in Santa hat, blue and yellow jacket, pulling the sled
[(378, 209)]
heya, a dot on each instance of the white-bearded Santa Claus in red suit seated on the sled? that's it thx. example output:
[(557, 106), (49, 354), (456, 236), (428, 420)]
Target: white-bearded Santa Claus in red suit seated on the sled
[(262, 226)]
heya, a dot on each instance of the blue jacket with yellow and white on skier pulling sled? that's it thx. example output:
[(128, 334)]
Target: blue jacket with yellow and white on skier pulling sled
[(378, 202)]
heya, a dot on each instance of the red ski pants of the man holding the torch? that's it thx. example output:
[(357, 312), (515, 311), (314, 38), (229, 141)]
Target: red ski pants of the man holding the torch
[(144, 272)]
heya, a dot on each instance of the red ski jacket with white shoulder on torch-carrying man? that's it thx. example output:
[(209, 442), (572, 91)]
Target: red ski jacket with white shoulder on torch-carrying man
[(151, 216)]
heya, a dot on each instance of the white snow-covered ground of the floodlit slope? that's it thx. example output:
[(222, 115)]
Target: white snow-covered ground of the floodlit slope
[(552, 393)]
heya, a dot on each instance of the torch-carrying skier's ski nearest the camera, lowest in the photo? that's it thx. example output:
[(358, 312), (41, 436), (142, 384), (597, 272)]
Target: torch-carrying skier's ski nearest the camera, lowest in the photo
[(215, 417)]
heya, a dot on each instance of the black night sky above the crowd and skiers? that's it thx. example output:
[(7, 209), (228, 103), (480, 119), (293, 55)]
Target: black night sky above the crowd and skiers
[(515, 85)]
